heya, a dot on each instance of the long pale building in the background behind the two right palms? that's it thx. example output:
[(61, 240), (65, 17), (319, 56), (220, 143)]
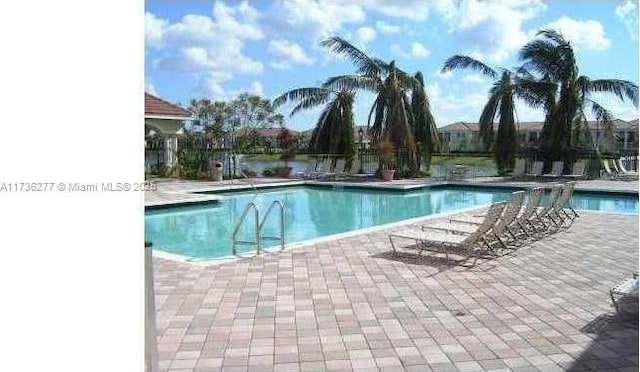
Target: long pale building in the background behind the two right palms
[(465, 137)]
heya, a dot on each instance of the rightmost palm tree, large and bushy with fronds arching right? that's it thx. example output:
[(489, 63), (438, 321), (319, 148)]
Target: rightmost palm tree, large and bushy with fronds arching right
[(564, 94)]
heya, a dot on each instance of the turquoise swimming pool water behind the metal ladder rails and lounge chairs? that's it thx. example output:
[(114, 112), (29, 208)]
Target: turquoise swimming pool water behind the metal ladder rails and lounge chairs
[(204, 231)]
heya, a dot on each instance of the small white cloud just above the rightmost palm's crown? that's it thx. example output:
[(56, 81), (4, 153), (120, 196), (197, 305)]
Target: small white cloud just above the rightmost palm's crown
[(586, 34)]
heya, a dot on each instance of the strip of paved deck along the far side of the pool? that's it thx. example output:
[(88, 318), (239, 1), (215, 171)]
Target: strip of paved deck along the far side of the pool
[(172, 191)]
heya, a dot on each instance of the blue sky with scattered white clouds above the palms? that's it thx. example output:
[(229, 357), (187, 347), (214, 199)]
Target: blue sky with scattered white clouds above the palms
[(218, 49)]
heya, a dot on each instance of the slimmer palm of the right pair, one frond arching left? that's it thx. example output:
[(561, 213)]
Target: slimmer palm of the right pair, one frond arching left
[(500, 104)]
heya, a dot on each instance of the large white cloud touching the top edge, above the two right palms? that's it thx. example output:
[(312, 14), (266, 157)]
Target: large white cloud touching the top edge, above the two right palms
[(491, 30)]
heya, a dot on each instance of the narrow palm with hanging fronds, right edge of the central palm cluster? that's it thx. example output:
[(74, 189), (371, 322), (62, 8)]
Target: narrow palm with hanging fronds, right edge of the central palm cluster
[(424, 124)]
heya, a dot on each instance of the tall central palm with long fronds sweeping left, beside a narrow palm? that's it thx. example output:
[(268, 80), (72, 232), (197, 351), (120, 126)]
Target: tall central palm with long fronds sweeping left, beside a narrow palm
[(391, 111)]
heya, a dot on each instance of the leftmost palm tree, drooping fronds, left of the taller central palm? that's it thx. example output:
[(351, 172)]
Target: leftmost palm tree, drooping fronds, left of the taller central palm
[(333, 133)]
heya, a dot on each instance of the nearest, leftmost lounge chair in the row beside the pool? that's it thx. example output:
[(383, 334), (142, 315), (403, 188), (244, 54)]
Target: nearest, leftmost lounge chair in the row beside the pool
[(446, 240)]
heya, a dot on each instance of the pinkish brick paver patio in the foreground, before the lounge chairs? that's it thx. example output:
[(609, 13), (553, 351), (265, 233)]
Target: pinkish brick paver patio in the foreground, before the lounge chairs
[(350, 305)]
